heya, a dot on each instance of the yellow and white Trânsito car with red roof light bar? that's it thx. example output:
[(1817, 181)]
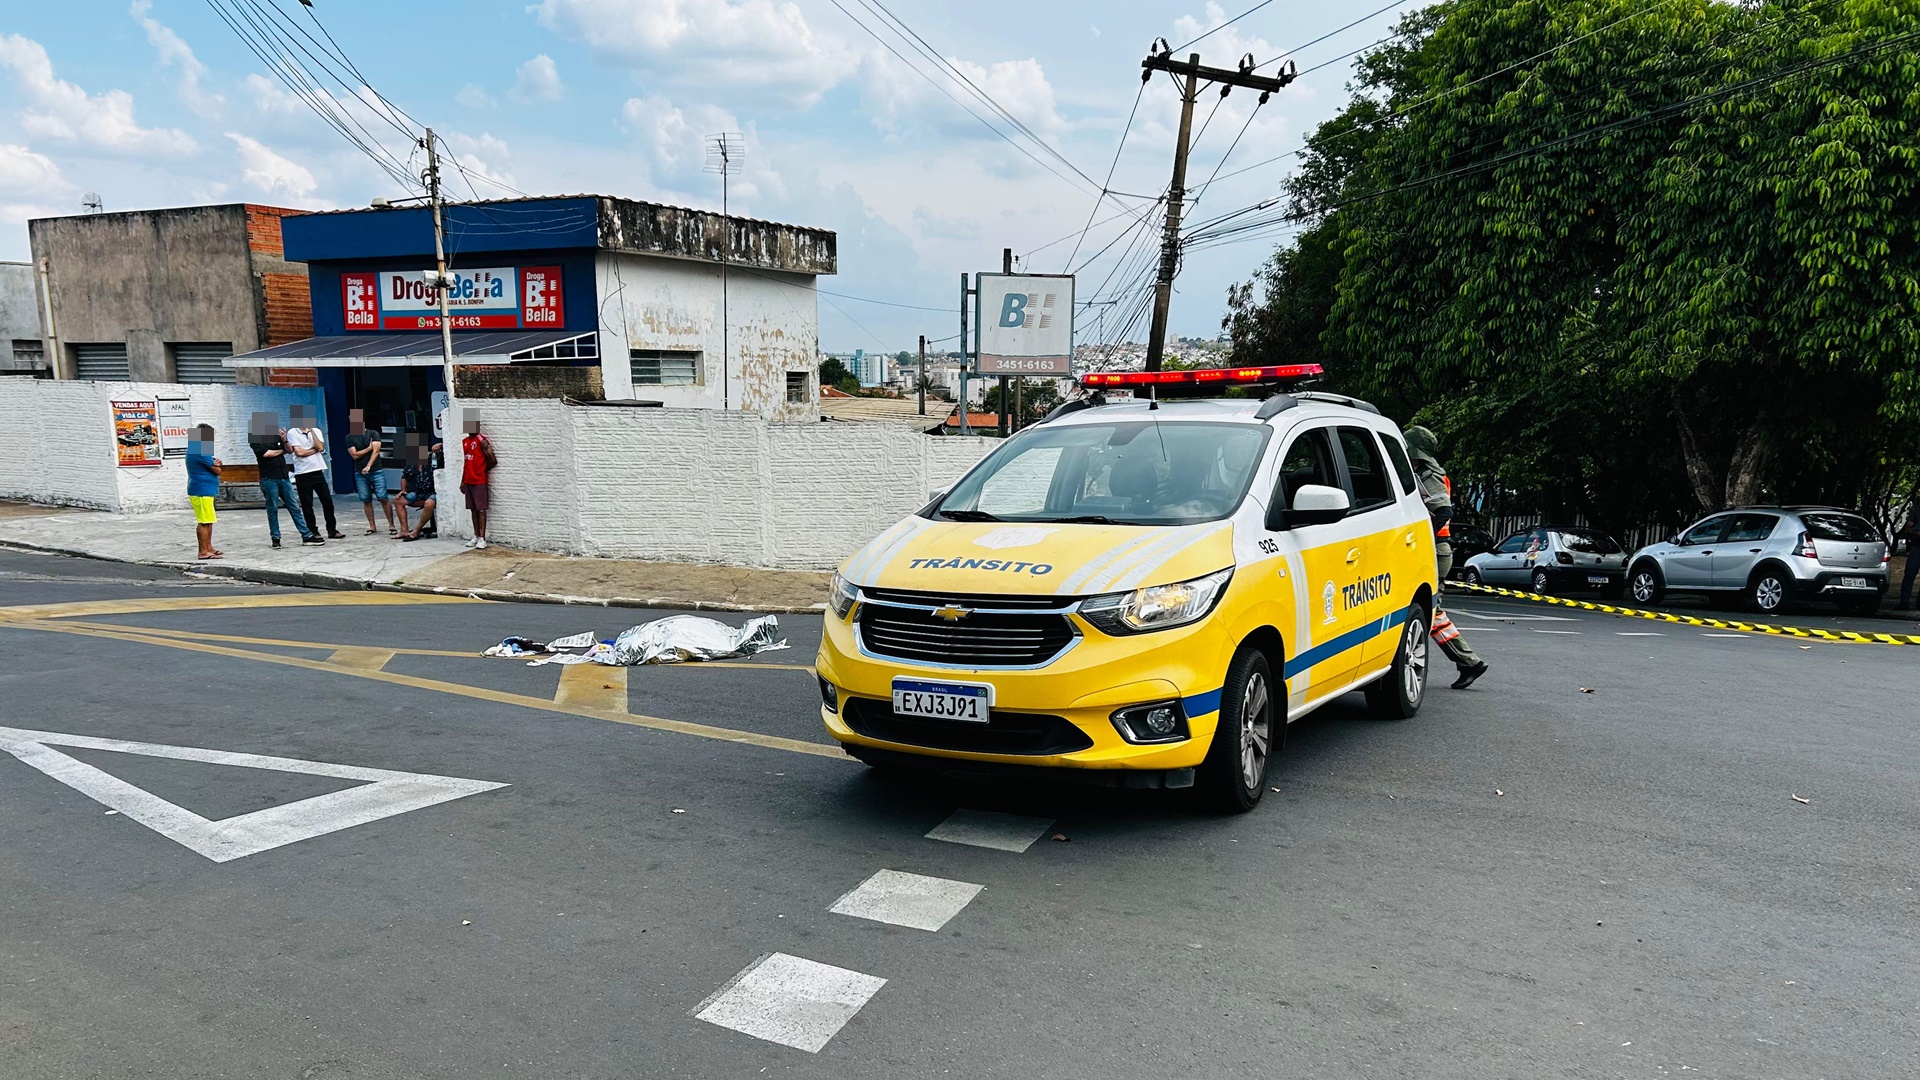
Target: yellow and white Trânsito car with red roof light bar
[(1145, 591)]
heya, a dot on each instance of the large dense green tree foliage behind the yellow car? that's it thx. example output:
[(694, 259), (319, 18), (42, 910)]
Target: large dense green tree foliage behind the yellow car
[(1635, 268)]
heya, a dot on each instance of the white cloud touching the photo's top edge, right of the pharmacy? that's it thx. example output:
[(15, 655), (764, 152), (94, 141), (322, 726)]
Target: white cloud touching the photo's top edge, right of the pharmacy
[(746, 45)]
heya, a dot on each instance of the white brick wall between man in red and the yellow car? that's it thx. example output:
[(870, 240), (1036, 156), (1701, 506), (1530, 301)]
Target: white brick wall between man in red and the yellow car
[(698, 485)]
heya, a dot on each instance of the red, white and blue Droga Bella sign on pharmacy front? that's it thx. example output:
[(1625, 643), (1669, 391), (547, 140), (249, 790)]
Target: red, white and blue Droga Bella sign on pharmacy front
[(487, 299)]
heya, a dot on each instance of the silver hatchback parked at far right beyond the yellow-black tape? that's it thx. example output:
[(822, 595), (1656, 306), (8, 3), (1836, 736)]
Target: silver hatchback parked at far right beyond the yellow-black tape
[(1769, 556)]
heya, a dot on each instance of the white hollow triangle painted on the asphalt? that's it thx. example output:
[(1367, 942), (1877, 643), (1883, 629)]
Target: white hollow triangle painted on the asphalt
[(383, 795)]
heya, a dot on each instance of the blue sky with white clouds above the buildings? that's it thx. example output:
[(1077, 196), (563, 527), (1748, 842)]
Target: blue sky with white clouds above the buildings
[(158, 103)]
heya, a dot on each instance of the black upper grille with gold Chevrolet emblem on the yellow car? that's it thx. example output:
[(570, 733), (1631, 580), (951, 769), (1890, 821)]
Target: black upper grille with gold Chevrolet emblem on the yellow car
[(984, 637)]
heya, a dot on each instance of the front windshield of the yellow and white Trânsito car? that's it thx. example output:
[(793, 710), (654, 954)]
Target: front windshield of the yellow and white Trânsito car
[(1122, 474)]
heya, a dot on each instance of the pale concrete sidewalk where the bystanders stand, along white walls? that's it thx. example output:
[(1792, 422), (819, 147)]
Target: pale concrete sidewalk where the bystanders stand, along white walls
[(425, 566)]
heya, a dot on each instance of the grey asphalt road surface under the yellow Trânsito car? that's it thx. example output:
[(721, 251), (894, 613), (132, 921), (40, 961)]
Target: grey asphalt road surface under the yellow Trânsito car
[(1595, 864)]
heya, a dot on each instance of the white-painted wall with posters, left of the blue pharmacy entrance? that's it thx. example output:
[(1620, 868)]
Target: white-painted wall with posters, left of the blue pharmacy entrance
[(57, 439)]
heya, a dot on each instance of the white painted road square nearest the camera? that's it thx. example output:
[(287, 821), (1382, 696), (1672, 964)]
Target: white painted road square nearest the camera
[(790, 1000)]
